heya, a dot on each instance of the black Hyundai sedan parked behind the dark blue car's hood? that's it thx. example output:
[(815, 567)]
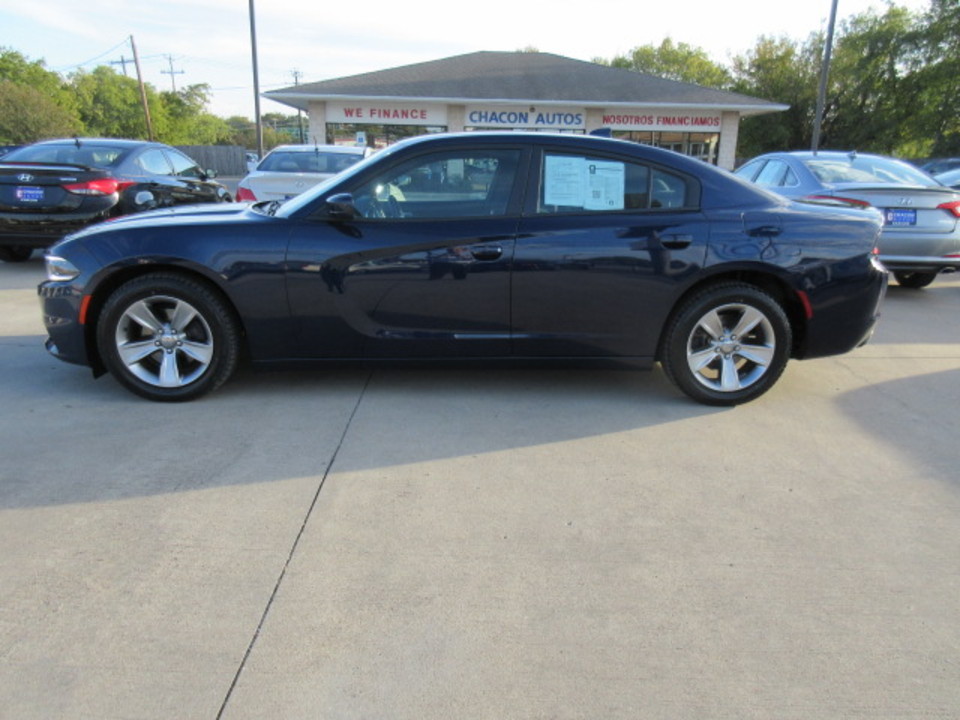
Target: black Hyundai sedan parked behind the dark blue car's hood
[(55, 187)]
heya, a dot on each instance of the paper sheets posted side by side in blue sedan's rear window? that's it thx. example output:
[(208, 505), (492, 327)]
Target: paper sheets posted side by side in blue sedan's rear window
[(584, 183)]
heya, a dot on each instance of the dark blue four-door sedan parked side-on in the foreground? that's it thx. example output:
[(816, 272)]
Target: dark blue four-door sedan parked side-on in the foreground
[(480, 245)]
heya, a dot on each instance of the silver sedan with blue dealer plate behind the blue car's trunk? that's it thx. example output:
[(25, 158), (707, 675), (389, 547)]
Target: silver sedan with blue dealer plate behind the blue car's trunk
[(921, 232)]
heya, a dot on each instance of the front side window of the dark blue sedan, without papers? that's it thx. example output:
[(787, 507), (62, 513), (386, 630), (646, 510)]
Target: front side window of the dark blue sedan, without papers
[(450, 184)]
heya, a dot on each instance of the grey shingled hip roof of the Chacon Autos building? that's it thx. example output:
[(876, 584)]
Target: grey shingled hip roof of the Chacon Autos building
[(511, 77)]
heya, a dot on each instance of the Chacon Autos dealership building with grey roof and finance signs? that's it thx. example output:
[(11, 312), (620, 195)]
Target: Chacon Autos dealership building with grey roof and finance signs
[(524, 91)]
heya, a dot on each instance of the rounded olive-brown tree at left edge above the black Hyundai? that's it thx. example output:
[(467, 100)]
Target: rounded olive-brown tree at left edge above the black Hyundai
[(28, 115)]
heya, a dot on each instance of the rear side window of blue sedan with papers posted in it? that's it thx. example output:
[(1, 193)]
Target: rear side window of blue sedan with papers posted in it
[(578, 183)]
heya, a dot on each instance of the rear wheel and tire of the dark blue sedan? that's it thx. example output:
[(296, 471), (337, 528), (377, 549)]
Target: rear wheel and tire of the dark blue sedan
[(727, 344)]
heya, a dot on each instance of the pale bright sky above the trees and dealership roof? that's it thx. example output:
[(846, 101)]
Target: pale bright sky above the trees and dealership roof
[(209, 40)]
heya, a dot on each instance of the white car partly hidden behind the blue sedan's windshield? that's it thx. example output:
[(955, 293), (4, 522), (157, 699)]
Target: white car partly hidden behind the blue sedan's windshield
[(288, 170)]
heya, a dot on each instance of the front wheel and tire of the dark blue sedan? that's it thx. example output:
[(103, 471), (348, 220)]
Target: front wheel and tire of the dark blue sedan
[(168, 338)]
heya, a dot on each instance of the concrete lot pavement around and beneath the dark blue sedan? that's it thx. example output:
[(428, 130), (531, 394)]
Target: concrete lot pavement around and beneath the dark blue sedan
[(468, 543)]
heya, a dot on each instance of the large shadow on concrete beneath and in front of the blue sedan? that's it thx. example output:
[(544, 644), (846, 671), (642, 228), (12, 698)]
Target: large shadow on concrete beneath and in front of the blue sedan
[(67, 438)]
